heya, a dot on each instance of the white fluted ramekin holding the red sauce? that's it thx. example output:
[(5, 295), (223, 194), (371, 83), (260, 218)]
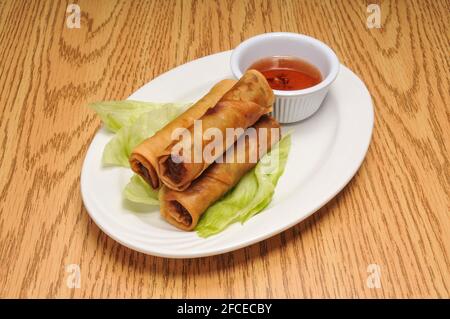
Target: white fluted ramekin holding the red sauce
[(290, 106)]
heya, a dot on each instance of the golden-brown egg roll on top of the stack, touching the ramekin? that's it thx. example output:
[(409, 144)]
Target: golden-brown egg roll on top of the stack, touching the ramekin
[(240, 107)]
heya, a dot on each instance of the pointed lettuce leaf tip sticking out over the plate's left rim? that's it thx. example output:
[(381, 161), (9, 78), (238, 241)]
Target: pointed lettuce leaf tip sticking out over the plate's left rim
[(118, 114)]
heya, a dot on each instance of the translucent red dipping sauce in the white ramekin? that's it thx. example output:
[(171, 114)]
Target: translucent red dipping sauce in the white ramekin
[(288, 73)]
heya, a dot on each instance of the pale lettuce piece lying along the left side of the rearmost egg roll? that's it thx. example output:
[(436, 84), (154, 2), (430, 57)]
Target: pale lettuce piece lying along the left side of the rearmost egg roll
[(118, 150)]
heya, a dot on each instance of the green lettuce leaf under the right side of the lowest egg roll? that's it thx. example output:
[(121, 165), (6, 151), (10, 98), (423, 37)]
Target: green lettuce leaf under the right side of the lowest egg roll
[(250, 196)]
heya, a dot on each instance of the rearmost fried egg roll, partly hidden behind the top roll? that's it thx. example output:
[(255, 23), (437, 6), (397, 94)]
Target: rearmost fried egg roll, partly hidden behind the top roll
[(144, 158)]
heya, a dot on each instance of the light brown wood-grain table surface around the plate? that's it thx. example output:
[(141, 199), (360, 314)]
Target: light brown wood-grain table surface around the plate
[(394, 213)]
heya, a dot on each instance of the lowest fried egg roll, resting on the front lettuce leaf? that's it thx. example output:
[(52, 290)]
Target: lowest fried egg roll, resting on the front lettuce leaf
[(183, 209)]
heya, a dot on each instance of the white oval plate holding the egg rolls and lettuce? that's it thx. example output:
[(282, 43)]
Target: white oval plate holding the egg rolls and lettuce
[(327, 150)]
